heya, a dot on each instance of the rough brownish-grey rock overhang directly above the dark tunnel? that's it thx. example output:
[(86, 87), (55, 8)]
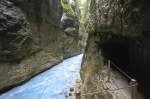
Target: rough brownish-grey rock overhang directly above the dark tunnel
[(125, 17)]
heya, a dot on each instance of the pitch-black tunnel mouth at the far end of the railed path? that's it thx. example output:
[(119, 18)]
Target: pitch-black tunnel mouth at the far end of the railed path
[(117, 49)]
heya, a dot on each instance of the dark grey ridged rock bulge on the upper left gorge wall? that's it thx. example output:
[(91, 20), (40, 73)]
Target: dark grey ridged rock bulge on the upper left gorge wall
[(15, 34)]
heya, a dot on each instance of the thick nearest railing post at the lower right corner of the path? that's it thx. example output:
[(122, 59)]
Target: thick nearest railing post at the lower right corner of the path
[(134, 90)]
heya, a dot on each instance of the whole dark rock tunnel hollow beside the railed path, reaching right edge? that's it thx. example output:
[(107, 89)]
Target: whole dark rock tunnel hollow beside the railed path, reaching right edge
[(131, 55)]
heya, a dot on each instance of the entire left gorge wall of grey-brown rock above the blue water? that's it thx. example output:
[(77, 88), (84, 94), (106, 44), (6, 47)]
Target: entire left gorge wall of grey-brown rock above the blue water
[(33, 37)]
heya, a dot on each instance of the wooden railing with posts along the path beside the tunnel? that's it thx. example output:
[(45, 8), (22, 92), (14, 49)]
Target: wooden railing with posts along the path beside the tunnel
[(133, 84)]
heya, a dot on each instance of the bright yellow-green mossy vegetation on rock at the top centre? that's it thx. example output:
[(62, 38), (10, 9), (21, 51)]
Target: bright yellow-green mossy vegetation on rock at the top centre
[(67, 8)]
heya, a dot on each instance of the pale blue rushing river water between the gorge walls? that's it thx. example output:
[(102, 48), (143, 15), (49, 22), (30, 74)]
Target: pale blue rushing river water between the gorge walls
[(52, 84)]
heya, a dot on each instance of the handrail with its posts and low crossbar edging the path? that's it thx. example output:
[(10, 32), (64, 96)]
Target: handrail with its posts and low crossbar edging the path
[(133, 84)]
